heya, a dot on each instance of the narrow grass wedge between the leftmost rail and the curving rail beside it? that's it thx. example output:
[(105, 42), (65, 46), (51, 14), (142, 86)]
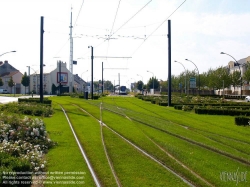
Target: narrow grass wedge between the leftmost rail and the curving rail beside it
[(88, 133)]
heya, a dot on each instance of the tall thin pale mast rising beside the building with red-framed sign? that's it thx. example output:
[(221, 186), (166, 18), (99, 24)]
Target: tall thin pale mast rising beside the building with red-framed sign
[(71, 56)]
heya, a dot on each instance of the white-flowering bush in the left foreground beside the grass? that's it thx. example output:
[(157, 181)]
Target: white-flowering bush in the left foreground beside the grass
[(24, 138)]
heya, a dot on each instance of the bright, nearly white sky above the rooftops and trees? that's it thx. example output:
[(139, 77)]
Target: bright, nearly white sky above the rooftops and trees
[(200, 29)]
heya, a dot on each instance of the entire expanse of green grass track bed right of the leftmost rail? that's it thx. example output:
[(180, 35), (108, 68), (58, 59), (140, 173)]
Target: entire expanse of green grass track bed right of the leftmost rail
[(170, 129)]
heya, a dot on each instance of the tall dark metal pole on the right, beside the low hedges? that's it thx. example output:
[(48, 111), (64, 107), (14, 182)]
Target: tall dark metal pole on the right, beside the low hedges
[(169, 63)]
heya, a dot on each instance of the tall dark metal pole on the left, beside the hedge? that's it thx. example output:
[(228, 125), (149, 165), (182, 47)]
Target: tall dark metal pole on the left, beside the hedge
[(41, 61)]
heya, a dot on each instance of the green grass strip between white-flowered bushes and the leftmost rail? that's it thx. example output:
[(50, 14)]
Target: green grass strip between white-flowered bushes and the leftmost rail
[(66, 156)]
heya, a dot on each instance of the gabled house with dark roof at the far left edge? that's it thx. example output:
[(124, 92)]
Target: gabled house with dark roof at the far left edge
[(6, 72)]
